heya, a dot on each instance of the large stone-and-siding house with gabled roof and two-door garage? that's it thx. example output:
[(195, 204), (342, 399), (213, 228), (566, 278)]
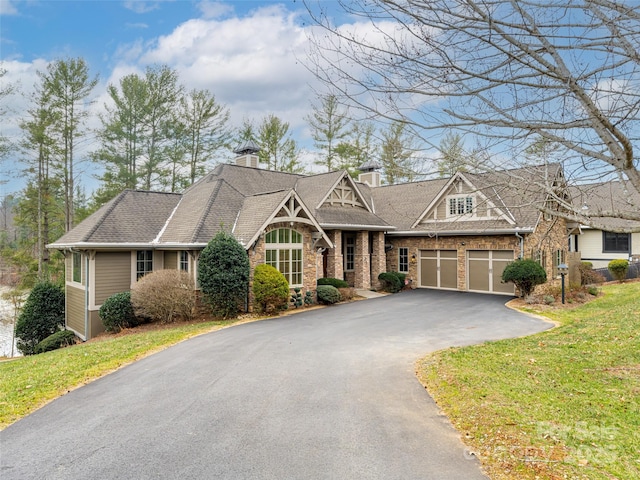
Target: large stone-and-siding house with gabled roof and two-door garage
[(456, 233)]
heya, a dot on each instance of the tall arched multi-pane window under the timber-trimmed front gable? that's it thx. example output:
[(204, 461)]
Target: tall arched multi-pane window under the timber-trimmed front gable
[(284, 252)]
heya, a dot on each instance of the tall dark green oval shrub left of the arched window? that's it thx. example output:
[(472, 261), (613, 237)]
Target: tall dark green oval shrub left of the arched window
[(223, 274)]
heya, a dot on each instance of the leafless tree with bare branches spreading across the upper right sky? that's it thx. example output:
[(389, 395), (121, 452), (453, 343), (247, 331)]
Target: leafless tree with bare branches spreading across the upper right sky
[(511, 72)]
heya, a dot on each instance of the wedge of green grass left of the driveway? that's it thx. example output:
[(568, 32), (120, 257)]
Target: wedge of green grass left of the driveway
[(27, 383)]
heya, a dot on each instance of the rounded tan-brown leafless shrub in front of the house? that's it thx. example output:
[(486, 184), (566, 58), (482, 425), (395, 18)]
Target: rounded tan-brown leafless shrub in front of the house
[(164, 296)]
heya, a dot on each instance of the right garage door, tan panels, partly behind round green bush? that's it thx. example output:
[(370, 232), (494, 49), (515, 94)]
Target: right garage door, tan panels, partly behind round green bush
[(484, 271)]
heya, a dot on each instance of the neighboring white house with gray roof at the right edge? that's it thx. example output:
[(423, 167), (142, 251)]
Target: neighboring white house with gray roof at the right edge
[(601, 246)]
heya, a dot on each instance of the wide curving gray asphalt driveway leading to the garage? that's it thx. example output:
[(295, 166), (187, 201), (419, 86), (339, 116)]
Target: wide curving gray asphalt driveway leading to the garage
[(324, 394)]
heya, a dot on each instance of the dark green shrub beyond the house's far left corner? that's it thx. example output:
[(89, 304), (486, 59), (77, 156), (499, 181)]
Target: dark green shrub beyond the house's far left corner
[(41, 316)]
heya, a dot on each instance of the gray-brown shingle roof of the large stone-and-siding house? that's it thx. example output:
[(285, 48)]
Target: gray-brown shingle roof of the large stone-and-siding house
[(243, 199)]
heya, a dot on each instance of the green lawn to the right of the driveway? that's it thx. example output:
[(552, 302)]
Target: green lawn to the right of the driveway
[(561, 404)]
